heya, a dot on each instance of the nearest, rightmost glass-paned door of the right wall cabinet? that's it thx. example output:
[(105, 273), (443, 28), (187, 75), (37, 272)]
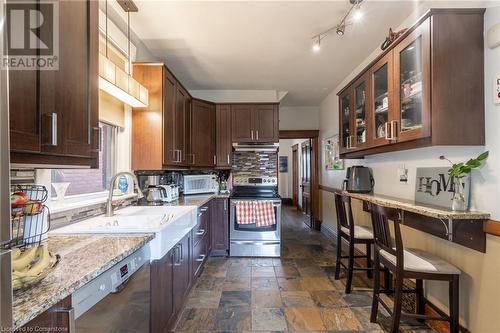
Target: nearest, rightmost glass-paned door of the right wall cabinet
[(412, 93)]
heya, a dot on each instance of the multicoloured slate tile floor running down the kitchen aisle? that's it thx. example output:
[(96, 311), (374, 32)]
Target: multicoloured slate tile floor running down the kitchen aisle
[(295, 293)]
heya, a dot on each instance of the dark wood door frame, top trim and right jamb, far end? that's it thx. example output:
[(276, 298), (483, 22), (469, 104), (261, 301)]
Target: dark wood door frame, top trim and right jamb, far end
[(314, 136)]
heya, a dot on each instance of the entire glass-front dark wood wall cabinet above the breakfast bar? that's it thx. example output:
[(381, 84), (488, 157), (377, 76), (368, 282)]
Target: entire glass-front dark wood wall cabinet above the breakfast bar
[(415, 94)]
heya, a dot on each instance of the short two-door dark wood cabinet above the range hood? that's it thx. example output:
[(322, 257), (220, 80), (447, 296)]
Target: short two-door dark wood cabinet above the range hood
[(255, 123)]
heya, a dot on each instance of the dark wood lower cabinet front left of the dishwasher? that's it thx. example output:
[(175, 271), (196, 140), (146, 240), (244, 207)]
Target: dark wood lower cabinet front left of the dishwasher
[(59, 318)]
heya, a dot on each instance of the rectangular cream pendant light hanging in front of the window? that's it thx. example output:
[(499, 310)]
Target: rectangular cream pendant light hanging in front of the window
[(117, 82)]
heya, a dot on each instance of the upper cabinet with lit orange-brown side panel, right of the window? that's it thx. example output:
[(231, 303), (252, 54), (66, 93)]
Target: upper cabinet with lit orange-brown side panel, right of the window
[(161, 131)]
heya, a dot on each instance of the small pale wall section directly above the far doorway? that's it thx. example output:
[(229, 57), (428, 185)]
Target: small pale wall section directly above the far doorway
[(299, 118)]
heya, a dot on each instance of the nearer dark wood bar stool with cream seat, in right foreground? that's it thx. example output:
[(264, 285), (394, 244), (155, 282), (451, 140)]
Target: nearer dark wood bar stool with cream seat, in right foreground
[(408, 264)]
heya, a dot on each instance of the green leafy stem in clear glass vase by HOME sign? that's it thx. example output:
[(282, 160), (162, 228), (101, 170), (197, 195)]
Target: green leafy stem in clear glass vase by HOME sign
[(460, 174)]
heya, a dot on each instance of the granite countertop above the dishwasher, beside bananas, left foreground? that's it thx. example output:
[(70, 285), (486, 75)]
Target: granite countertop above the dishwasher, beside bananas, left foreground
[(83, 258)]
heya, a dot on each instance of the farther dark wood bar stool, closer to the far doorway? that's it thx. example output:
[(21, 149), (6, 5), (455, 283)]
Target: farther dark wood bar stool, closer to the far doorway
[(353, 234)]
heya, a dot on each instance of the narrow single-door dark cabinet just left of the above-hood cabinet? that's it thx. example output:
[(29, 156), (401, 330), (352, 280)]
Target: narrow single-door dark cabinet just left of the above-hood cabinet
[(223, 135)]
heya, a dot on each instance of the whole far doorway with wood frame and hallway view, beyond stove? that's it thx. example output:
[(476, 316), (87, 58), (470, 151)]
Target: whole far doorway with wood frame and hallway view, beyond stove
[(304, 156)]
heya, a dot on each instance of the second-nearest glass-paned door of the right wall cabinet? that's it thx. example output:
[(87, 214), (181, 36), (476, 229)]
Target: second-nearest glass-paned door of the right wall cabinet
[(382, 104)]
